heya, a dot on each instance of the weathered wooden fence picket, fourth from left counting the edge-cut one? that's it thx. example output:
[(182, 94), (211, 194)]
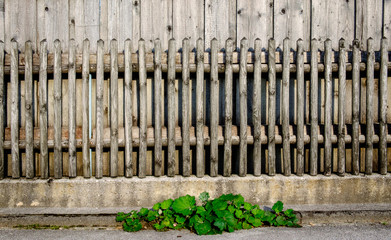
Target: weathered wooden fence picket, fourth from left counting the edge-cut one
[(43, 119)]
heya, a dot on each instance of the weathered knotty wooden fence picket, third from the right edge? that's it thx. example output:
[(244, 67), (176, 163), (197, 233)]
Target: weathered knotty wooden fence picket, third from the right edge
[(356, 107)]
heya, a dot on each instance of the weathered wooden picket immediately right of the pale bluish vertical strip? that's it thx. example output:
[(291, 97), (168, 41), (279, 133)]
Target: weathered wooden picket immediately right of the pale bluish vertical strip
[(99, 110)]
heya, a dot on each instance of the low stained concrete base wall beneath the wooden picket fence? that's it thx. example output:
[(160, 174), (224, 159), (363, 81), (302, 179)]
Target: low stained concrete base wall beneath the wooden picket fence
[(135, 192)]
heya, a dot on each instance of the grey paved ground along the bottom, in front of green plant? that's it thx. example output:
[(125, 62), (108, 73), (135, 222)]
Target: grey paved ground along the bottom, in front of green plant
[(322, 232)]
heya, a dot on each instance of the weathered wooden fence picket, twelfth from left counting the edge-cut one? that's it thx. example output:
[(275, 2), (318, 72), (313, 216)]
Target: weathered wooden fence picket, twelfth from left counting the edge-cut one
[(158, 108)]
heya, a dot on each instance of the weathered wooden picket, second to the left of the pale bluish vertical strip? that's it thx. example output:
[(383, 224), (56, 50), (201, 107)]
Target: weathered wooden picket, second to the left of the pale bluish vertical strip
[(72, 108)]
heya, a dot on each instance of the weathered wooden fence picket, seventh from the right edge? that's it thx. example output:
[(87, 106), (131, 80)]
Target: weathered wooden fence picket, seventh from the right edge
[(300, 108)]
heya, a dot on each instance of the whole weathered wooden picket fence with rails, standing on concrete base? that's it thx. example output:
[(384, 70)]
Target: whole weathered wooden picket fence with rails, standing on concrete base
[(190, 112)]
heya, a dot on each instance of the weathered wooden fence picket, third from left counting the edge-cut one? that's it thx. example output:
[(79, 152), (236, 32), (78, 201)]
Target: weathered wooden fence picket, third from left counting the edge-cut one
[(28, 77)]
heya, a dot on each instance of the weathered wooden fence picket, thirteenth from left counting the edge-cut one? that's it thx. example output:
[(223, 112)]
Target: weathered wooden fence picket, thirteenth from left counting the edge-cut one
[(171, 108)]
